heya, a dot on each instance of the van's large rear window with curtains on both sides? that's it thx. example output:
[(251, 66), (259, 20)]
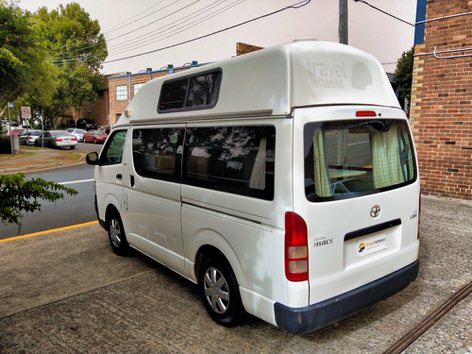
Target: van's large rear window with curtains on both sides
[(345, 159)]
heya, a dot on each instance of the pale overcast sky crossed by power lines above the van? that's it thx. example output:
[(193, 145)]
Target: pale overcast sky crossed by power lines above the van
[(139, 26)]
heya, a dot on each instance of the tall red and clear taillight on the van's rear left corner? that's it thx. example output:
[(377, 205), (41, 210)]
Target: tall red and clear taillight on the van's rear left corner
[(296, 247)]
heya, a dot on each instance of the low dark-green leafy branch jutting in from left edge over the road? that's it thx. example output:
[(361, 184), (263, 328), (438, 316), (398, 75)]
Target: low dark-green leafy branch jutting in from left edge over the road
[(18, 195)]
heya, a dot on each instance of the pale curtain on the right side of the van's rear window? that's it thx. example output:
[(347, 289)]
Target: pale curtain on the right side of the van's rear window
[(386, 163)]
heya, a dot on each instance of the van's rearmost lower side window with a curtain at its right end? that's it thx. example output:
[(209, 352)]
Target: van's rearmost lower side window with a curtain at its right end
[(237, 160)]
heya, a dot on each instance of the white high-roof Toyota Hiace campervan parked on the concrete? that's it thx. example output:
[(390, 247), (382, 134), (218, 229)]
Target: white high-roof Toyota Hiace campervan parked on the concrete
[(283, 182)]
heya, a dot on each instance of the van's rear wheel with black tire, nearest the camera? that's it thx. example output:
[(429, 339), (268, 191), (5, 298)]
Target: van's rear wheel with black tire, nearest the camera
[(219, 291)]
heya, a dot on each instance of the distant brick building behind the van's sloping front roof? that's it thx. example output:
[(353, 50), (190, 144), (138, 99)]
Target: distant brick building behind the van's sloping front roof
[(123, 87)]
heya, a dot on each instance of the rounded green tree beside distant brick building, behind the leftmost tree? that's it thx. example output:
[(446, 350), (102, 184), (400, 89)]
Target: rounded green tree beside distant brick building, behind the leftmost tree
[(78, 49)]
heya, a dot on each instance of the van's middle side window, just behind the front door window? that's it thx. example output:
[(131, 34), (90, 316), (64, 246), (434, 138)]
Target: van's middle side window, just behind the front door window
[(157, 152)]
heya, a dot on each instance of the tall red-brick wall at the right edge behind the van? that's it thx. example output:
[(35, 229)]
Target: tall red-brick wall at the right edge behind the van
[(441, 108)]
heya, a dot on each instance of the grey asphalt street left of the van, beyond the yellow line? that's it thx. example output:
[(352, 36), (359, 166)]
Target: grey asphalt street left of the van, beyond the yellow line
[(67, 211)]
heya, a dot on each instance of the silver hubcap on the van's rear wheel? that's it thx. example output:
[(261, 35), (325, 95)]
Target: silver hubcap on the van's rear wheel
[(216, 290)]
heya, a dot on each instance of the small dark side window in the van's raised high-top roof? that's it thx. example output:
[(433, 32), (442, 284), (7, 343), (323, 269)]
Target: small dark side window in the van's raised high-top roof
[(191, 92)]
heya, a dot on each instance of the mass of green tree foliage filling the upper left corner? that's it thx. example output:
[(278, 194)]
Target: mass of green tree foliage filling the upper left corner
[(49, 60)]
